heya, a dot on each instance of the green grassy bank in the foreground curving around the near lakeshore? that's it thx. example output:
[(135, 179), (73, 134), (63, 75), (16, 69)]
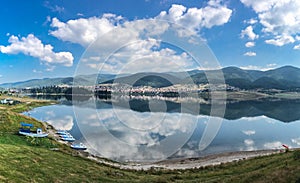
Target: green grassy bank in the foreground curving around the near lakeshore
[(30, 160)]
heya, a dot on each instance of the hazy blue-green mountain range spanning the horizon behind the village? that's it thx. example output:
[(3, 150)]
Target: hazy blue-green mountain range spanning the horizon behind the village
[(285, 78)]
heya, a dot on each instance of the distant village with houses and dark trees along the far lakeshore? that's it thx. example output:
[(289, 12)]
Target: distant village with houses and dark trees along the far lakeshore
[(124, 89)]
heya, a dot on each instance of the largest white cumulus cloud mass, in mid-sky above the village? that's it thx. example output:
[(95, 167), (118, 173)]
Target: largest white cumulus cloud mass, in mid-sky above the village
[(135, 45)]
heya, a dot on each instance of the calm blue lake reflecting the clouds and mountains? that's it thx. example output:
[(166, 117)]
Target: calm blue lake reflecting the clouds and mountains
[(144, 129)]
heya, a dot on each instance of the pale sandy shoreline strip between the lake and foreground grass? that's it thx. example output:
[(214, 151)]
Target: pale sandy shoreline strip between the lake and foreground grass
[(189, 163)]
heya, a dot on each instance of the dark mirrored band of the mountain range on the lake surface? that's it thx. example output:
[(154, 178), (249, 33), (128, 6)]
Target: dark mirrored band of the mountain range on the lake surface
[(283, 110)]
